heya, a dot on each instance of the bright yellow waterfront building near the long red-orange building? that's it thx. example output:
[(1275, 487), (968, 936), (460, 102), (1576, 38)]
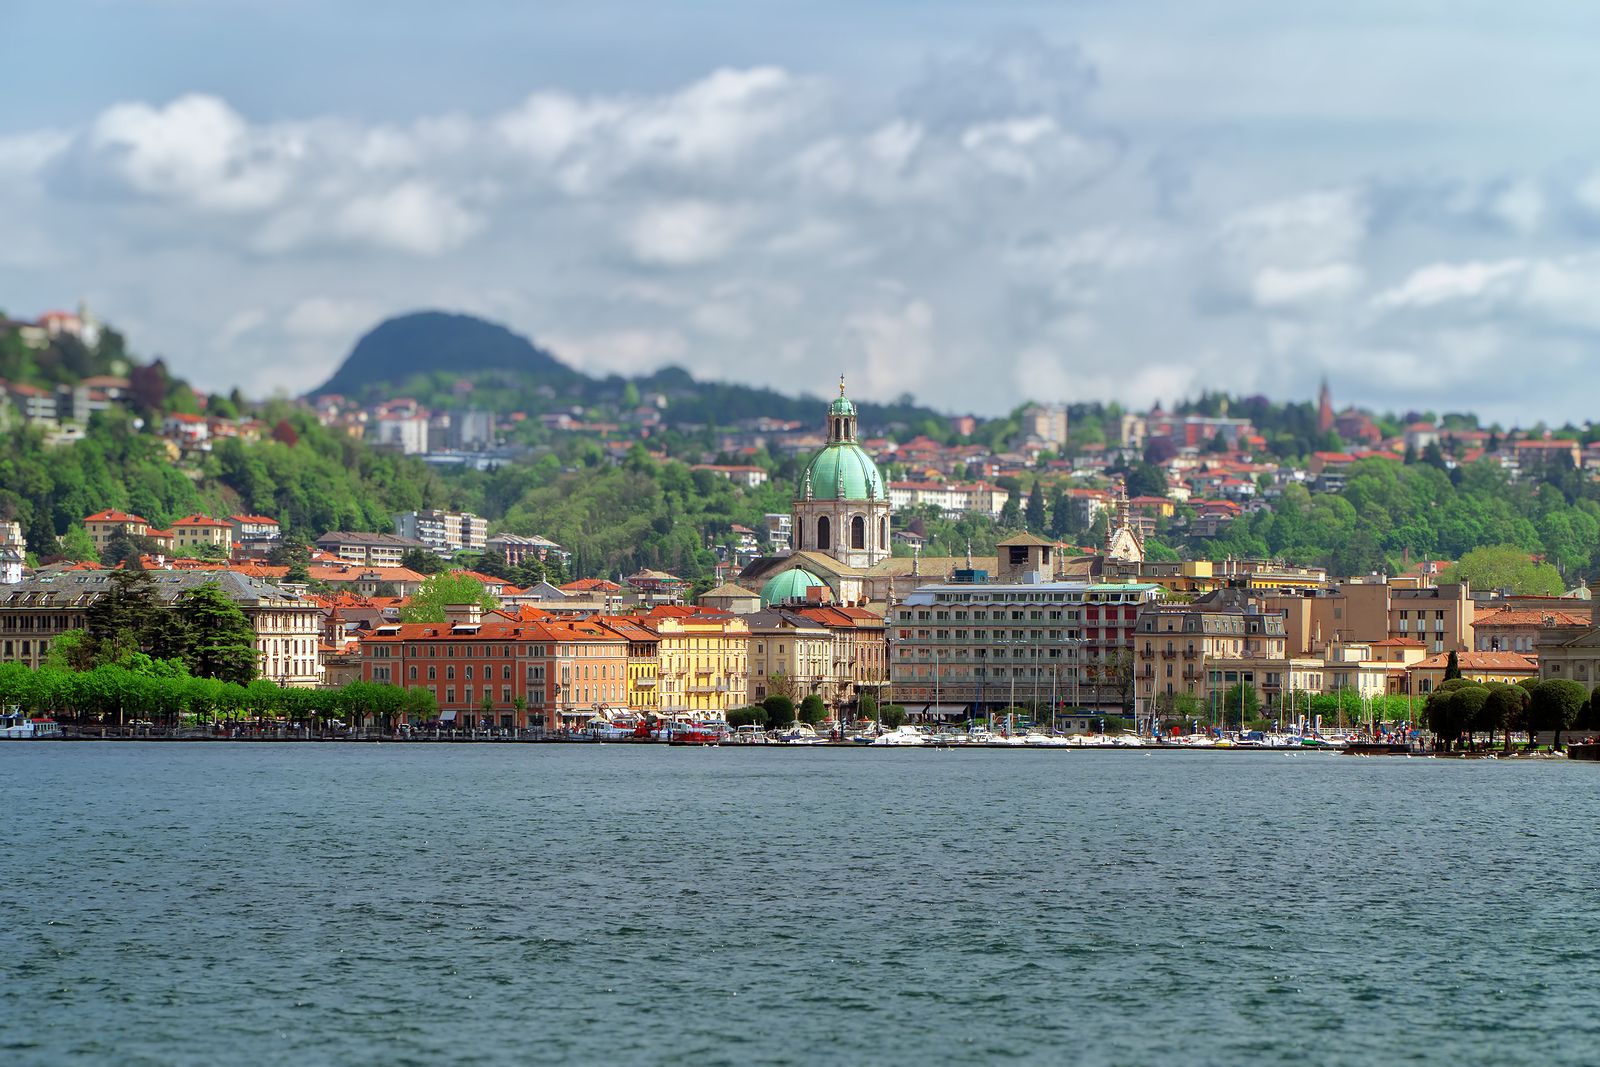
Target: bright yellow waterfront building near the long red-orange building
[(705, 663)]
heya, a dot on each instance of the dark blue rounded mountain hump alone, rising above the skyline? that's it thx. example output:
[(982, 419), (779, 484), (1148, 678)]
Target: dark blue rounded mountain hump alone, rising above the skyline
[(425, 343)]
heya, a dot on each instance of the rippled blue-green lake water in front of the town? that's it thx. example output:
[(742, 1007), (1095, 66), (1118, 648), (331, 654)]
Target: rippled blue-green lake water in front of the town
[(503, 905)]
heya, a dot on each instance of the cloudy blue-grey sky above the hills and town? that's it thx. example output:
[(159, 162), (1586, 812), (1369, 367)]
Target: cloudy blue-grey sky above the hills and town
[(972, 202)]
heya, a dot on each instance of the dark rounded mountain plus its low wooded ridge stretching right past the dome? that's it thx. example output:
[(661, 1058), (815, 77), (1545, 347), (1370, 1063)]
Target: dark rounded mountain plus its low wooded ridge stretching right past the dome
[(422, 353)]
